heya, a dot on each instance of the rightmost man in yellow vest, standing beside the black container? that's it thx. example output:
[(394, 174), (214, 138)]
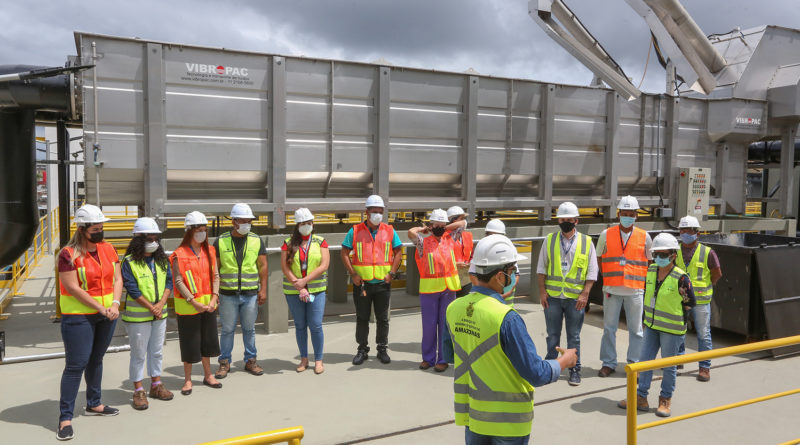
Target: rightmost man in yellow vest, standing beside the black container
[(702, 266)]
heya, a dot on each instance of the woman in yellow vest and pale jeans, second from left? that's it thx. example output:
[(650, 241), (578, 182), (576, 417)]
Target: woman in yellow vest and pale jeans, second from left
[(148, 281)]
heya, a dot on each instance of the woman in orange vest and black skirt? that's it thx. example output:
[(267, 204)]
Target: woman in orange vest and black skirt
[(196, 283)]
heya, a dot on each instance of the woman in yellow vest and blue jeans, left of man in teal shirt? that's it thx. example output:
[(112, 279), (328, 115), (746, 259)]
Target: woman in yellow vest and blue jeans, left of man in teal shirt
[(304, 262)]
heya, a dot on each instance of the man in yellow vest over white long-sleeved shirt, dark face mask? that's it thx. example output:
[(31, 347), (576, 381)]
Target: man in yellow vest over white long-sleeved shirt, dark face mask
[(567, 270)]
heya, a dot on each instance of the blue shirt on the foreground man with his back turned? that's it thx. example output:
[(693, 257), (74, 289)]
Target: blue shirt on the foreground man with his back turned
[(517, 345)]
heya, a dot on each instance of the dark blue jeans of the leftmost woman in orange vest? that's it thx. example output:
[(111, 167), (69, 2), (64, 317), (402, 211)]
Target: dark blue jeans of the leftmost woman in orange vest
[(86, 339)]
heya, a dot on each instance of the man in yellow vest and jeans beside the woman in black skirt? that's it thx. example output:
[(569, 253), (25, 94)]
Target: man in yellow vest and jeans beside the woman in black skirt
[(242, 261)]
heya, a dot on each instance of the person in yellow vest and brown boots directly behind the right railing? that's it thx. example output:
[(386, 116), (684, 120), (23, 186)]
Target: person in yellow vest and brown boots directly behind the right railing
[(668, 295)]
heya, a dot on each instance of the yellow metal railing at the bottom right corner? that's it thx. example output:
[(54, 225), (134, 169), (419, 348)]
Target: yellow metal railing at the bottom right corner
[(632, 370)]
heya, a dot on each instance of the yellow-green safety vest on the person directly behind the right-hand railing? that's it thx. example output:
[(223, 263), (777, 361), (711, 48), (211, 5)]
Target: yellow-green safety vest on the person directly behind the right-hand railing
[(664, 312)]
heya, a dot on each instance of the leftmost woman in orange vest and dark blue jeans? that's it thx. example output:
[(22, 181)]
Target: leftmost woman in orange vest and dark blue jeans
[(91, 288)]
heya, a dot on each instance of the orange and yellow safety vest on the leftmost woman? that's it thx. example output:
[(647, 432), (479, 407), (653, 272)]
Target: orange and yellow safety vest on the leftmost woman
[(97, 279)]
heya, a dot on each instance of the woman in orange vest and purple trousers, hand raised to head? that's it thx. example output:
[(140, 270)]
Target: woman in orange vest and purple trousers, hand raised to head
[(438, 283)]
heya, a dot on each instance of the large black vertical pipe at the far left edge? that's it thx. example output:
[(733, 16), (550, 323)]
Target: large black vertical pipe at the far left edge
[(18, 207)]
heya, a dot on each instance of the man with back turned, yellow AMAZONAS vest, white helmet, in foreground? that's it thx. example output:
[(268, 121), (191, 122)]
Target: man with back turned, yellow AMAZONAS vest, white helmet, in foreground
[(496, 365)]
